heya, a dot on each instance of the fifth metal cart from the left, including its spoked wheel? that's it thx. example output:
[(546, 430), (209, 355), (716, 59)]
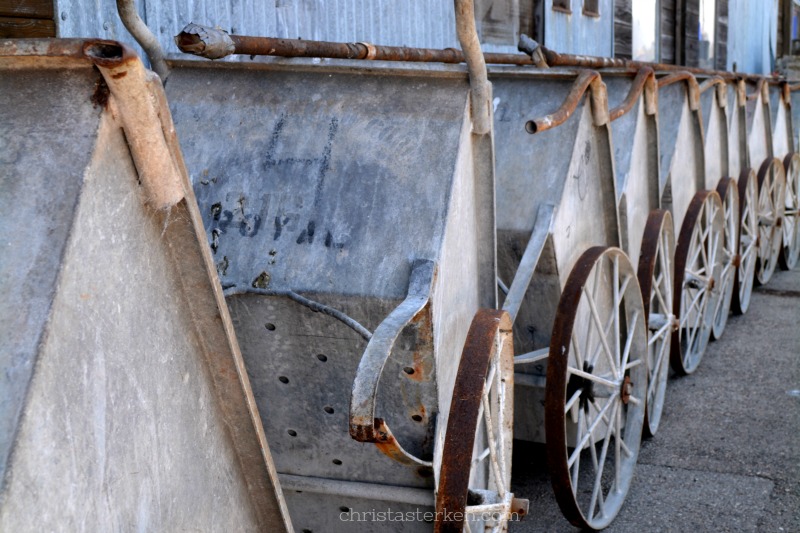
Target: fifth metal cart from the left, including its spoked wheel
[(698, 217)]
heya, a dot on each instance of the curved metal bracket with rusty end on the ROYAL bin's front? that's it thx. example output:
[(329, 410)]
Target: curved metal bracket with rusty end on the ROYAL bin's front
[(364, 426)]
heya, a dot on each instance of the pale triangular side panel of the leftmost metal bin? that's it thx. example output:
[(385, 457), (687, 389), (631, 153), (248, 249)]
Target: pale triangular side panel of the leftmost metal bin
[(97, 439)]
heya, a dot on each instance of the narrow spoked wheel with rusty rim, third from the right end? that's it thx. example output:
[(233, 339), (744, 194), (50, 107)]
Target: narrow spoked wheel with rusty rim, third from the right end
[(748, 241)]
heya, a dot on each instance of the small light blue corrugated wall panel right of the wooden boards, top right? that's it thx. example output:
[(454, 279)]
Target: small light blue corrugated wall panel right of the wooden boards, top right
[(577, 33)]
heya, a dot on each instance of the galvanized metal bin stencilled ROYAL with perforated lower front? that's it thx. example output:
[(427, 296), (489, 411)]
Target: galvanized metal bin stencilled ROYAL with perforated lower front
[(332, 189)]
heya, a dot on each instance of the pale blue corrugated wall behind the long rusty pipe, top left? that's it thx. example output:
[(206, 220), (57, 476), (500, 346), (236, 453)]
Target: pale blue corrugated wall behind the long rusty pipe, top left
[(422, 23)]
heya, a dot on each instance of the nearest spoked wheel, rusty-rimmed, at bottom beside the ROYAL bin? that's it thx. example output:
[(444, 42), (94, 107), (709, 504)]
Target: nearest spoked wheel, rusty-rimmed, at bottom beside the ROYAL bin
[(479, 432)]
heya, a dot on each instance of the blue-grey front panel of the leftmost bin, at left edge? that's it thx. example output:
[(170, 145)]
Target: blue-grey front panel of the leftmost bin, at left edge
[(47, 131)]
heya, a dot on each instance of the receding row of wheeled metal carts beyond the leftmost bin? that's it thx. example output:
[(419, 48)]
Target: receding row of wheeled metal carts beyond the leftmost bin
[(411, 291)]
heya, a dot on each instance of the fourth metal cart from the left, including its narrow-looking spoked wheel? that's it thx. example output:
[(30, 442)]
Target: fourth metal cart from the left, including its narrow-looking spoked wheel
[(648, 233)]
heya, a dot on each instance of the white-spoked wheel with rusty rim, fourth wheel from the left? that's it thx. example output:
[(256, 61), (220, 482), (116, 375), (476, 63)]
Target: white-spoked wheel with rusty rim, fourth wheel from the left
[(697, 271)]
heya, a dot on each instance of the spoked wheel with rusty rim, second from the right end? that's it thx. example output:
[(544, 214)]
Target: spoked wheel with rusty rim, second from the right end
[(771, 187)]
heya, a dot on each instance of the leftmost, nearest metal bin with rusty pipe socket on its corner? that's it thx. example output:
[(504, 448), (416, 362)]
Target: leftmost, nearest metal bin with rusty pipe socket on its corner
[(123, 400)]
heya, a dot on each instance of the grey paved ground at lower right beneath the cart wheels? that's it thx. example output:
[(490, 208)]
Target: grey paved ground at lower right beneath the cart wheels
[(727, 454)]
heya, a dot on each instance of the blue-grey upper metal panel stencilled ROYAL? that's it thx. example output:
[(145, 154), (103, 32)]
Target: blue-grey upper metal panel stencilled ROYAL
[(271, 158)]
